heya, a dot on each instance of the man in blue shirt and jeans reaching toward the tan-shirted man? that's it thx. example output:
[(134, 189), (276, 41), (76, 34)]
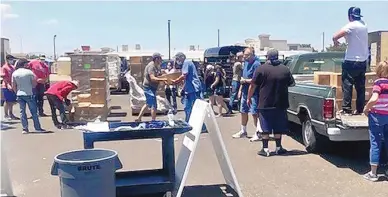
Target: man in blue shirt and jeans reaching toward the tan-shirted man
[(192, 83)]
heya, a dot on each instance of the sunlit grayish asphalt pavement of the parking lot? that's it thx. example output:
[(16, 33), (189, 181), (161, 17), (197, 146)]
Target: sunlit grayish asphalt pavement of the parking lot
[(299, 174)]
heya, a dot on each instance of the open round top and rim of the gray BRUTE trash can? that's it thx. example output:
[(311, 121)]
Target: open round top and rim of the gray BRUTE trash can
[(86, 155)]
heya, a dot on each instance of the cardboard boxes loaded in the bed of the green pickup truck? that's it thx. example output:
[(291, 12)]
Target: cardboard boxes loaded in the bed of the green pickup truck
[(335, 80)]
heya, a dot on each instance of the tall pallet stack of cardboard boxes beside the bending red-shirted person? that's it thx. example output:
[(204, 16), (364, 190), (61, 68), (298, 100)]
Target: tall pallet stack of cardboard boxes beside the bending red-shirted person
[(93, 94)]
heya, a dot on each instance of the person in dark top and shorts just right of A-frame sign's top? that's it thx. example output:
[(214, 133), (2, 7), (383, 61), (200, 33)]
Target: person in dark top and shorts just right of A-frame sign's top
[(219, 89)]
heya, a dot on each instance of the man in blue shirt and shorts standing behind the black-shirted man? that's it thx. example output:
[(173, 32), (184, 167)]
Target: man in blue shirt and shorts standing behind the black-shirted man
[(250, 65)]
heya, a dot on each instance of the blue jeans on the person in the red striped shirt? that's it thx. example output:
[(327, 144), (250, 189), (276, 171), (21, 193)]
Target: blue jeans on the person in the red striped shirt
[(378, 130)]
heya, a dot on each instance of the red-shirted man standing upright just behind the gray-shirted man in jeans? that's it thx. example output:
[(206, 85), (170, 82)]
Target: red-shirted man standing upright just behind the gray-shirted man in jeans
[(42, 73)]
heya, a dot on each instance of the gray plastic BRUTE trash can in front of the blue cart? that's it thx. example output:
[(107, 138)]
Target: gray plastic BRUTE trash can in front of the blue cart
[(87, 173)]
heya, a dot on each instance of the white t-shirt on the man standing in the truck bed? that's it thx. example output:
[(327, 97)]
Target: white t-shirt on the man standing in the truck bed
[(357, 40)]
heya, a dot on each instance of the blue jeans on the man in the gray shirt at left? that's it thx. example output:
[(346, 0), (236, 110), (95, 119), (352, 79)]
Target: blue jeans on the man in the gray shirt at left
[(31, 102)]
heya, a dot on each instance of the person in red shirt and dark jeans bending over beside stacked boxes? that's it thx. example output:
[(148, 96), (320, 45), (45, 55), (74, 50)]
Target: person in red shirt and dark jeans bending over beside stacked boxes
[(57, 98)]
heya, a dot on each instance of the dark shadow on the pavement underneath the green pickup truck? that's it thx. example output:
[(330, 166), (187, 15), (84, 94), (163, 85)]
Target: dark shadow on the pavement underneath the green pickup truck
[(351, 155)]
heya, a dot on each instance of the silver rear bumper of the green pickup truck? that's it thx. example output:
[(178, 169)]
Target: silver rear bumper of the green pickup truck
[(351, 134)]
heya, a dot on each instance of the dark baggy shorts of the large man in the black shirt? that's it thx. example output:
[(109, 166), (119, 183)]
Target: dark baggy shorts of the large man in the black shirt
[(273, 121)]
